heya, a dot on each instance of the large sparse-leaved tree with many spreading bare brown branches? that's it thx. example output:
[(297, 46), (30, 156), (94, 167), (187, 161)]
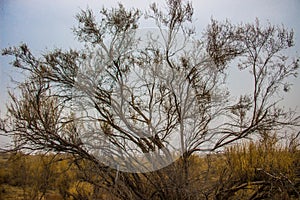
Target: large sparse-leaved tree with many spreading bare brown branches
[(128, 103)]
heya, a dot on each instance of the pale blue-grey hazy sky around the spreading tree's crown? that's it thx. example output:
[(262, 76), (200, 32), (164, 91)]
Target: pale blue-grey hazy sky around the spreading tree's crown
[(47, 24)]
